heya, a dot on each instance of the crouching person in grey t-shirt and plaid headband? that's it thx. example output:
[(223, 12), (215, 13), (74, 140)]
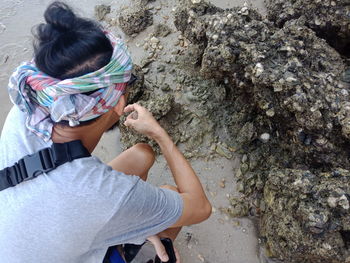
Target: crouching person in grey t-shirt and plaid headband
[(74, 89)]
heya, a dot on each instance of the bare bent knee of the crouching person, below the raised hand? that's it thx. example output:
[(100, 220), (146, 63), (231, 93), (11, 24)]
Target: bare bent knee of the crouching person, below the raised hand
[(136, 160)]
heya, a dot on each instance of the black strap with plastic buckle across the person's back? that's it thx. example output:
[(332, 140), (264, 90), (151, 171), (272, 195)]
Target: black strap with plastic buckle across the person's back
[(43, 161)]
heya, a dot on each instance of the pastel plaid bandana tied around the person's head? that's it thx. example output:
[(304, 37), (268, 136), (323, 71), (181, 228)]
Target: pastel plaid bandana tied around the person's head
[(47, 100)]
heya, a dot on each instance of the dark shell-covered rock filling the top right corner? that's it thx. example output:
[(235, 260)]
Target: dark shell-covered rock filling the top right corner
[(330, 19)]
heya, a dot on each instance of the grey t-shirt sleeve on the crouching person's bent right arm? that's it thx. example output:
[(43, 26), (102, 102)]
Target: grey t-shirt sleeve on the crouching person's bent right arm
[(146, 210)]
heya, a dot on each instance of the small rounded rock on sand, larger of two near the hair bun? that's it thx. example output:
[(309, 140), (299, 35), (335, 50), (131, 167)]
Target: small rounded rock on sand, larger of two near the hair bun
[(134, 19)]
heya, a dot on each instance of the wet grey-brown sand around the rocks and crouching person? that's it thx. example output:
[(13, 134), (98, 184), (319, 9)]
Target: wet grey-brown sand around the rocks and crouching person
[(220, 239)]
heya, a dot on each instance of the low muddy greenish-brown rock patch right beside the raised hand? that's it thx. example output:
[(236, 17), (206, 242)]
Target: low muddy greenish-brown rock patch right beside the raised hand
[(181, 111)]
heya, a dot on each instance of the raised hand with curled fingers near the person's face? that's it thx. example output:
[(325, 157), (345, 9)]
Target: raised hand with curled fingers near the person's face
[(142, 121)]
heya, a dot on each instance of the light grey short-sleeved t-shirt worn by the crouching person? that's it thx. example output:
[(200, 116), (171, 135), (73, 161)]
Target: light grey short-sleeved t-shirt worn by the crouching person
[(75, 212)]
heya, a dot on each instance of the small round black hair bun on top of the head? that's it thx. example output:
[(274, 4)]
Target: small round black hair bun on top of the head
[(60, 16)]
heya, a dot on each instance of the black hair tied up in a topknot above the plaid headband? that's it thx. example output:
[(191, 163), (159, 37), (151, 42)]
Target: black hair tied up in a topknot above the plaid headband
[(67, 45)]
